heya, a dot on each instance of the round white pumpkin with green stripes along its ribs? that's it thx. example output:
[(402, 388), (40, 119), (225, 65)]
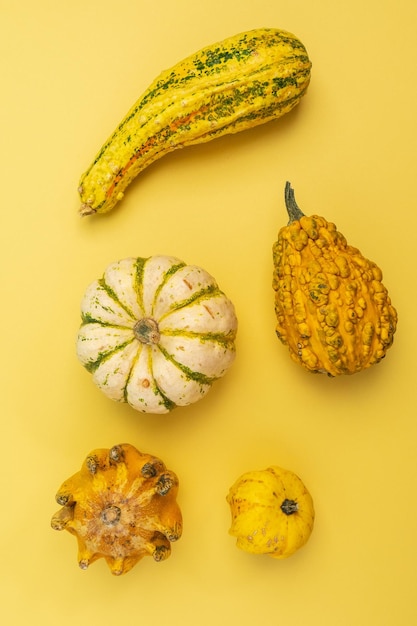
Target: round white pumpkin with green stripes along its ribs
[(156, 333)]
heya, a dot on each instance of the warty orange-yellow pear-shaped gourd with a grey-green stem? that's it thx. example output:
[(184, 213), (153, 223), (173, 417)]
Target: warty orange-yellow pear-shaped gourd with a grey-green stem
[(333, 312)]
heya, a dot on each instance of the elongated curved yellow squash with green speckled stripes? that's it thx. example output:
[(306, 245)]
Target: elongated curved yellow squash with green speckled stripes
[(241, 82)]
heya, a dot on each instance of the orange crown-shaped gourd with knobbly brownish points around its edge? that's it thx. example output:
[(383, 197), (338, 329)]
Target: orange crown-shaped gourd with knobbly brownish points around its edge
[(121, 506)]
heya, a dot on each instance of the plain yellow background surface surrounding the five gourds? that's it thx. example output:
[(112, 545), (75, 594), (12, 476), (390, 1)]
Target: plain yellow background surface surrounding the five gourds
[(69, 72)]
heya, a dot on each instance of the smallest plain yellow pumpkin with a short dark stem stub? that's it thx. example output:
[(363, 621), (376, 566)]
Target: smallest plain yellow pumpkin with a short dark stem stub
[(272, 512)]
